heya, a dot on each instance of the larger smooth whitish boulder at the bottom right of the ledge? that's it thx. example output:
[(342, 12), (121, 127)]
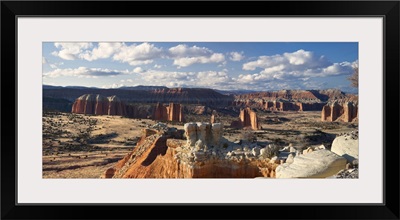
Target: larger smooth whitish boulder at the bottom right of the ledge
[(316, 164)]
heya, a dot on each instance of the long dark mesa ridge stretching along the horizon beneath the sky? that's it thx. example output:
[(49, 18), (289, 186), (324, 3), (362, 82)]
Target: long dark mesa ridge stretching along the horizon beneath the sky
[(205, 99)]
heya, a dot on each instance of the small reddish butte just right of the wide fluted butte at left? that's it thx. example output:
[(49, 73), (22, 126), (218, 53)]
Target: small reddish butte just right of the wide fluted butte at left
[(172, 112)]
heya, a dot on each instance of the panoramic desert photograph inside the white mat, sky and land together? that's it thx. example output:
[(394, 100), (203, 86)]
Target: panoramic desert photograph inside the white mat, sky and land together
[(156, 110)]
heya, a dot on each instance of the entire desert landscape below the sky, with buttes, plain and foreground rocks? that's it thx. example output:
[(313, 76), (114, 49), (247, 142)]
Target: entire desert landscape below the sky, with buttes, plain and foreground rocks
[(161, 132)]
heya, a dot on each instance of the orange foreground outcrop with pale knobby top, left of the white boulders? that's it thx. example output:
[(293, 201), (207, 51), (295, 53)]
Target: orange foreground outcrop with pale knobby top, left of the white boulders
[(204, 154)]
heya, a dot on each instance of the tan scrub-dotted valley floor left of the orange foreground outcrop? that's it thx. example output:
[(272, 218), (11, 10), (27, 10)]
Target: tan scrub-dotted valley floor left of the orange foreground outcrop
[(83, 146)]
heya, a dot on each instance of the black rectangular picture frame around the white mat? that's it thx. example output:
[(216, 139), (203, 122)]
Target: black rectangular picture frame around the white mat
[(11, 10)]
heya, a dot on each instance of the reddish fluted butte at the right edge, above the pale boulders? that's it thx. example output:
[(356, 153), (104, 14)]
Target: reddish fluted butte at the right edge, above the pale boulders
[(346, 112)]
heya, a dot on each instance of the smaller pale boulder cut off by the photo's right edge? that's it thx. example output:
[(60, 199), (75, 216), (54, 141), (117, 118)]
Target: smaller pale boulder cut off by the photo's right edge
[(346, 147)]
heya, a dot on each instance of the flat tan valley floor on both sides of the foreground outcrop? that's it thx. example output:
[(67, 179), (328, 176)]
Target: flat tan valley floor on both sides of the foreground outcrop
[(84, 146)]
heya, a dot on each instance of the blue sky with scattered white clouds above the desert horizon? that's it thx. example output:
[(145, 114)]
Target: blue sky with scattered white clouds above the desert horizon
[(218, 65)]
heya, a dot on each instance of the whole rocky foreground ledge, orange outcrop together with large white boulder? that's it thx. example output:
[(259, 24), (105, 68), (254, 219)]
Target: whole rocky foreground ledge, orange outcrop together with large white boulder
[(200, 151)]
